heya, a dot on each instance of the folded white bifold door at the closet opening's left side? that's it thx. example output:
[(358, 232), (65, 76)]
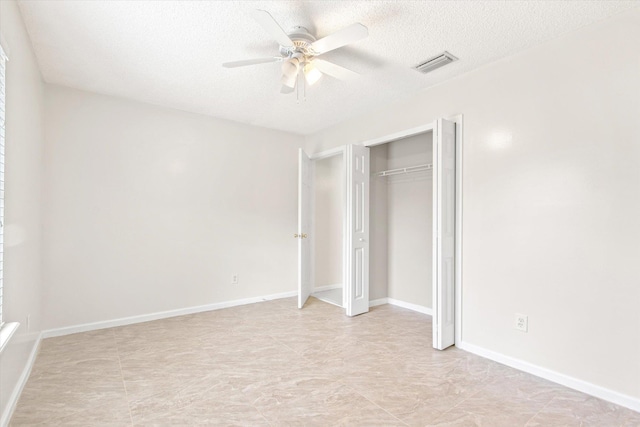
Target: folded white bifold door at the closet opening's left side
[(357, 233)]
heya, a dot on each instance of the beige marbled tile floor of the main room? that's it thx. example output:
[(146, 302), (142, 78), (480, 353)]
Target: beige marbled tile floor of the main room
[(274, 365)]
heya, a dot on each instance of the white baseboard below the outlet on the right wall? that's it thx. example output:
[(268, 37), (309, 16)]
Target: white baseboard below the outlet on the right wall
[(556, 377)]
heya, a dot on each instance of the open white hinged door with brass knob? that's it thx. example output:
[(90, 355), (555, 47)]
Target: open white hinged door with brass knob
[(305, 188)]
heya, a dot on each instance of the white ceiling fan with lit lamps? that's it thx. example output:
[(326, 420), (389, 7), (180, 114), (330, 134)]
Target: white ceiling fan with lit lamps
[(299, 51)]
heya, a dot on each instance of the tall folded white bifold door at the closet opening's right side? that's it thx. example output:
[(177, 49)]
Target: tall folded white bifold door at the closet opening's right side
[(444, 220)]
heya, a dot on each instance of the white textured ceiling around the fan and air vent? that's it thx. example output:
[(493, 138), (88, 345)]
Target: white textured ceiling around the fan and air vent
[(170, 52)]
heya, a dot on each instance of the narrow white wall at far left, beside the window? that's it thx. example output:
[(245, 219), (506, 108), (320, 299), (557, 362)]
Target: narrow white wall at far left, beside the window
[(23, 209)]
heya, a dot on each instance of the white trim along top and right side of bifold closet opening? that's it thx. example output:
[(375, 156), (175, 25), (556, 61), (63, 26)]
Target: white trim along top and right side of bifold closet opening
[(405, 133)]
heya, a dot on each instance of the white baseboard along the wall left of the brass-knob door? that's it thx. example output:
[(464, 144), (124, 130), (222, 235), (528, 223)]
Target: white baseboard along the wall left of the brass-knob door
[(57, 332)]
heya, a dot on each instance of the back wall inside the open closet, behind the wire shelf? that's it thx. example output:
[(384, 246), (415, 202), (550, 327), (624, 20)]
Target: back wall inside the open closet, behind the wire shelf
[(409, 221)]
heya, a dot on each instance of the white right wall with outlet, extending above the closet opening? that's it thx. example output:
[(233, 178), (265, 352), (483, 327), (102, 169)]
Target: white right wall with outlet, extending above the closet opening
[(551, 182)]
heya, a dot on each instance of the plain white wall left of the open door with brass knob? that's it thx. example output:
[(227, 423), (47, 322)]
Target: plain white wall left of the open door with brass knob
[(152, 209)]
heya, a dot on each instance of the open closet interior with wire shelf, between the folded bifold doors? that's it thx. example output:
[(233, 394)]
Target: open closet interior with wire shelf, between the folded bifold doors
[(401, 217)]
